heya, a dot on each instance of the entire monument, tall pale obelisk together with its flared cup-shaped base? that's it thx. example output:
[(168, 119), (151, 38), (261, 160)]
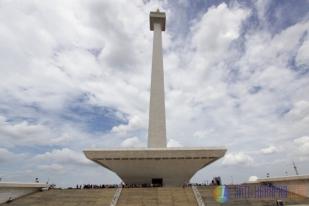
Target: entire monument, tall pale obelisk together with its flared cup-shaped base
[(156, 164)]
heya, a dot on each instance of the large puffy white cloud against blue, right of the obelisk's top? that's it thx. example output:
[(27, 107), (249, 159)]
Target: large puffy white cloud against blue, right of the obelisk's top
[(225, 24)]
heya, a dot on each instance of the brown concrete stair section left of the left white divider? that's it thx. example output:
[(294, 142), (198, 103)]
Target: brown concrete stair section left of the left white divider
[(67, 197)]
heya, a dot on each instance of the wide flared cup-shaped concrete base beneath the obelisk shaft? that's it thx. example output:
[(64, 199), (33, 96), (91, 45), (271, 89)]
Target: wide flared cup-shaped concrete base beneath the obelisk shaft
[(163, 166)]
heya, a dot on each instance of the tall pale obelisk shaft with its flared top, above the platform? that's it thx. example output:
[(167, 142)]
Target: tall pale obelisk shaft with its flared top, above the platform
[(157, 128)]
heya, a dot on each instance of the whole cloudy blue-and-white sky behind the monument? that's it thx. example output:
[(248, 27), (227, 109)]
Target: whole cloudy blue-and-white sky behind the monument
[(75, 75)]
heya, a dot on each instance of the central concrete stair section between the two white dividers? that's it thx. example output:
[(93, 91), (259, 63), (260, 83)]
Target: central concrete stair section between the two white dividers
[(159, 196)]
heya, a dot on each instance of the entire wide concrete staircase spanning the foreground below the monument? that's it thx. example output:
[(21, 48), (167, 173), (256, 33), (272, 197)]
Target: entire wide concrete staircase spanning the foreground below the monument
[(160, 196)]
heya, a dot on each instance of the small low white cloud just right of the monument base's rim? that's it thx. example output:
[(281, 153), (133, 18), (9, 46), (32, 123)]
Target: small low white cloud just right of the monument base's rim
[(238, 158)]
